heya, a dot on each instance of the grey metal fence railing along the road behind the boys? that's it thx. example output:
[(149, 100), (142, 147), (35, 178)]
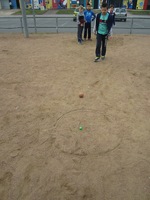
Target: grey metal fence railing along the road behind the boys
[(57, 27)]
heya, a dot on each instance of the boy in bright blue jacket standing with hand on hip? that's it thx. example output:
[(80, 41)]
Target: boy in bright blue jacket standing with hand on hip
[(89, 17)]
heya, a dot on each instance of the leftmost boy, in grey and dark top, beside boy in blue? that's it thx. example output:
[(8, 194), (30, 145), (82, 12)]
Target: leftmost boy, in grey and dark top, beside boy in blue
[(81, 22)]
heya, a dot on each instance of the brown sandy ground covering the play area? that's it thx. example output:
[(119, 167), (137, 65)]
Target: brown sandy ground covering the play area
[(43, 153)]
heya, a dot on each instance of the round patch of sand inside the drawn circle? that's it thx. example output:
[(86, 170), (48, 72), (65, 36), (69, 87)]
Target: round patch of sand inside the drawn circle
[(100, 133)]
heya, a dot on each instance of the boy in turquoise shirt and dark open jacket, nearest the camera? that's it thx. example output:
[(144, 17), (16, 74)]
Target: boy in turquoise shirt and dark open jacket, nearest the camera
[(104, 23)]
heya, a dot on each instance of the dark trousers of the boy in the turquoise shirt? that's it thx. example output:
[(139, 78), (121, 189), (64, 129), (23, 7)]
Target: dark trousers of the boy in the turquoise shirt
[(101, 42)]
